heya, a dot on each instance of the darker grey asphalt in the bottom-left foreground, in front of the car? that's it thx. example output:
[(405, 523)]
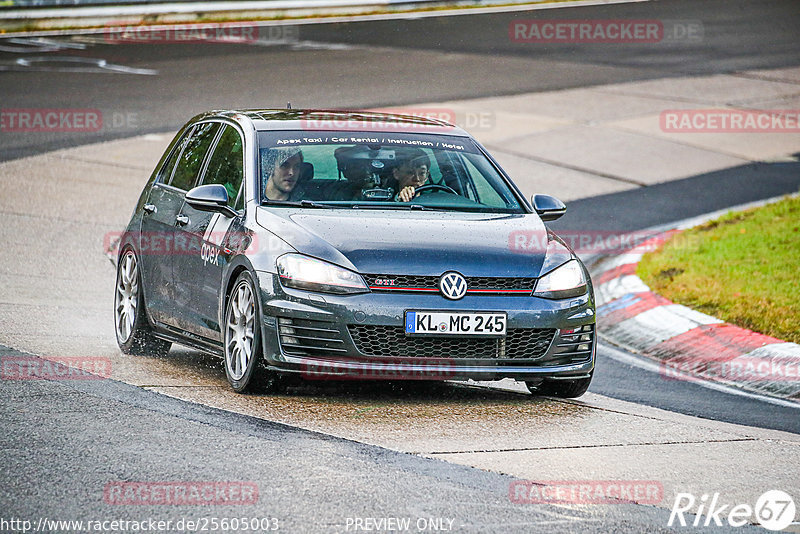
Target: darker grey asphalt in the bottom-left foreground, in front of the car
[(63, 442)]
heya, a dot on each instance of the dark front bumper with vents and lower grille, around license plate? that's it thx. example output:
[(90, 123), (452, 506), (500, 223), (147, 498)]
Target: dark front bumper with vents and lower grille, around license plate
[(321, 336)]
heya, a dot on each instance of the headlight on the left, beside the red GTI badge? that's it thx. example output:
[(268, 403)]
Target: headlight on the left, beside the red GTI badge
[(303, 272)]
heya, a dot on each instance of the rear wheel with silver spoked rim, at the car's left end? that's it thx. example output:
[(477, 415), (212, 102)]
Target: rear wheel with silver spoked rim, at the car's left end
[(134, 334)]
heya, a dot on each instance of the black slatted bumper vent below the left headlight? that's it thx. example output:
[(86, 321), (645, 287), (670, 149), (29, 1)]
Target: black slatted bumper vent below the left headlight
[(302, 337)]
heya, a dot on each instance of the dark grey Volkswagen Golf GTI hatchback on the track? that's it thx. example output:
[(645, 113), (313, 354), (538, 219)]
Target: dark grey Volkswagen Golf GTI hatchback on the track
[(351, 245)]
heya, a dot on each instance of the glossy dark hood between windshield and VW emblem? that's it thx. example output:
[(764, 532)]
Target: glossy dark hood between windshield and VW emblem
[(415, 243)]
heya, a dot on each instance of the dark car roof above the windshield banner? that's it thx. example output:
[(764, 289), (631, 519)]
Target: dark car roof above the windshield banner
[(339, 120)]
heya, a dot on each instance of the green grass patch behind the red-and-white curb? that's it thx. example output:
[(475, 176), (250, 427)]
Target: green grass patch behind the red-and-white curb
[(743, 268)]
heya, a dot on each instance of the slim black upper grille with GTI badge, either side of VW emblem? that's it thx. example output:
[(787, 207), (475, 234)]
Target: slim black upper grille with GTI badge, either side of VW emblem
[(390, 282)]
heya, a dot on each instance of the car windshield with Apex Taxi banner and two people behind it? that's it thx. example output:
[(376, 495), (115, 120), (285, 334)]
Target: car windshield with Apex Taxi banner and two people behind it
[(380, 170)]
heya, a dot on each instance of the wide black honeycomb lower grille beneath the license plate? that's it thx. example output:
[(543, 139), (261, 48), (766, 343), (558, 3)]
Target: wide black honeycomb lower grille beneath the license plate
[(391, 341)]
